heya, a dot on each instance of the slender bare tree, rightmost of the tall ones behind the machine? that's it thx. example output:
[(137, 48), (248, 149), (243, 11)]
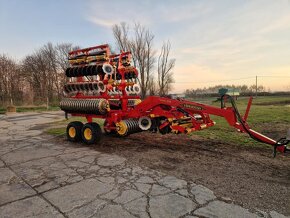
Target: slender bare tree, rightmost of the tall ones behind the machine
[(164, 70)]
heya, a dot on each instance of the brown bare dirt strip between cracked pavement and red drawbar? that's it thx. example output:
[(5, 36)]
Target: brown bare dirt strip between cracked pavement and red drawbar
[(248, 176)]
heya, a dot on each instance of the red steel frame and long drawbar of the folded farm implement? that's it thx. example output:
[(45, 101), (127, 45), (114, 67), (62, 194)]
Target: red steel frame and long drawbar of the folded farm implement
[(154, 113)]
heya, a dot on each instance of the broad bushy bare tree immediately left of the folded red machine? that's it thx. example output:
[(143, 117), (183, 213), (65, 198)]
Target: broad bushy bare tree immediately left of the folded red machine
[(45, 69)]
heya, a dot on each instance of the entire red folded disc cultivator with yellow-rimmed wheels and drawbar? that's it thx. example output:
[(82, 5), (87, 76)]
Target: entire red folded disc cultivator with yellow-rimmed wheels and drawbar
[(104, 85)]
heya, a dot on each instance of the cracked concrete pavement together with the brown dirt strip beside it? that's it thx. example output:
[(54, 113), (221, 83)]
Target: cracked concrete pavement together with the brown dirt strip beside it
[(142, 175)]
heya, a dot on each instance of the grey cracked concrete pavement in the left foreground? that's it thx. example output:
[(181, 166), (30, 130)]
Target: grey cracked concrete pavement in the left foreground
[(39, 178)]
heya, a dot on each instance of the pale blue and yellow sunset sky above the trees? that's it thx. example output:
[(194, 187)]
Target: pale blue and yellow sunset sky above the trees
[(213, 42)]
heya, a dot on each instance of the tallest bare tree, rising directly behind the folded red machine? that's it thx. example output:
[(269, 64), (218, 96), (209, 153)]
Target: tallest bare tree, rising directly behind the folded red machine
[(141, 46)]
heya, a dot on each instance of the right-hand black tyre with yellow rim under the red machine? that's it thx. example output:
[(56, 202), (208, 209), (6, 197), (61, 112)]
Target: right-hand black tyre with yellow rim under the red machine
[(91, 133)]
